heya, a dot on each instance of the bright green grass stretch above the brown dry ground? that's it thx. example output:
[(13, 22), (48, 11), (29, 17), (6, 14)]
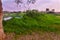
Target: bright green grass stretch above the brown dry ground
[(32, 23)]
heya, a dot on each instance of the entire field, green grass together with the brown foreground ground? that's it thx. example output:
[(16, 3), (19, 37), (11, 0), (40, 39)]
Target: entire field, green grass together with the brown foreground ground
[(32, 25)]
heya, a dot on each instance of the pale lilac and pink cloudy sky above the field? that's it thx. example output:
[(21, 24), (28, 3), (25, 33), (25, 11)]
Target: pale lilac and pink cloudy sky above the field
[(41, 5)]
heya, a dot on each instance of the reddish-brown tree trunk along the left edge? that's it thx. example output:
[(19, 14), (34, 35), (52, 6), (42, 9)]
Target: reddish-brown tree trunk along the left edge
[(2, 35)]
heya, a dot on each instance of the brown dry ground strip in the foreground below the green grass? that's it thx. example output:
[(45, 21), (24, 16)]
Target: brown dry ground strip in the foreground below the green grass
[(34, 36)]
